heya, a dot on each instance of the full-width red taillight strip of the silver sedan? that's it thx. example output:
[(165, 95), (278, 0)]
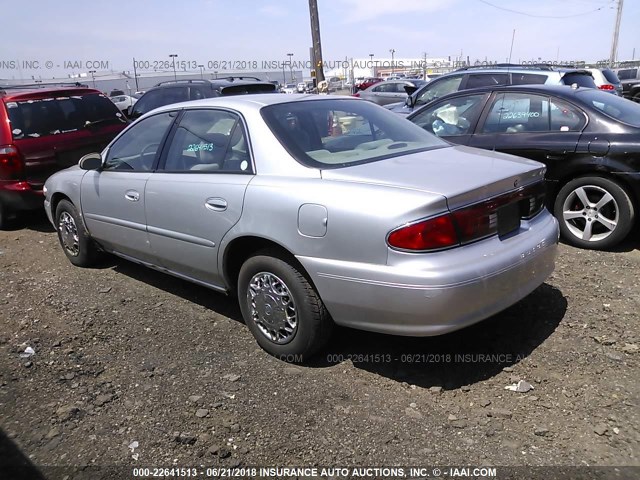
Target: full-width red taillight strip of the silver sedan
[(467, 224)]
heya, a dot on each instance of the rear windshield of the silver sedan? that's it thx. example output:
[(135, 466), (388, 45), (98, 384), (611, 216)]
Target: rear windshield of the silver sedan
[(341, 133)]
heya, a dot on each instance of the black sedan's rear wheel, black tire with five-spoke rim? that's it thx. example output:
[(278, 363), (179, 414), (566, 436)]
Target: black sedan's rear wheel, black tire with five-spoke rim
[(600, 234)]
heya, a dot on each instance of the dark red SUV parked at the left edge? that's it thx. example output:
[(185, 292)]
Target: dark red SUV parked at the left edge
[(45, 129)]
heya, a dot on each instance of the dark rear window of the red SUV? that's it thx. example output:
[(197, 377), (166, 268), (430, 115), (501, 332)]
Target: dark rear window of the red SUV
[(55, 115)]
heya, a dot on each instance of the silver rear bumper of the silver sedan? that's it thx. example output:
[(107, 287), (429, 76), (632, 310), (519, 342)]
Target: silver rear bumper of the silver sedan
[(432, 294)]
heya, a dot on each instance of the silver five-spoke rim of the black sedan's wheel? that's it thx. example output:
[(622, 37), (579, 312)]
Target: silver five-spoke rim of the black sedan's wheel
[(590, 213)]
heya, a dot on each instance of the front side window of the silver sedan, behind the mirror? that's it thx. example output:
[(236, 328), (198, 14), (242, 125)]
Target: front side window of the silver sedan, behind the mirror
[(136, 148)]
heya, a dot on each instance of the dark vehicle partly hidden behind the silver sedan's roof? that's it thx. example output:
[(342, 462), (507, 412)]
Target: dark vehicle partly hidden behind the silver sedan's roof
[(165, 93)]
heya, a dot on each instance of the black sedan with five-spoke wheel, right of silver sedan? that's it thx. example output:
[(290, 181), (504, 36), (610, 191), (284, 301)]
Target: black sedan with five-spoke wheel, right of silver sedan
[(589, 140)]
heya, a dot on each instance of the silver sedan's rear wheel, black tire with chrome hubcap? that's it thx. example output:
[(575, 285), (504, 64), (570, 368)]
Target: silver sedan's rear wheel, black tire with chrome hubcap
[(313, 324)]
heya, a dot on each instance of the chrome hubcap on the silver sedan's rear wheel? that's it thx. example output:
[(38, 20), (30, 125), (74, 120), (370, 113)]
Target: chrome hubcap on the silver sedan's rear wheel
[(272, 307)]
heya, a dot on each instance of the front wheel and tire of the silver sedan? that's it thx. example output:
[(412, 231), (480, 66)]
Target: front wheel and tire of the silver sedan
[(83, 252)]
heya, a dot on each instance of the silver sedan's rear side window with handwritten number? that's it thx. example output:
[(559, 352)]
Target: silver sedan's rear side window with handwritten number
[(209, 141)]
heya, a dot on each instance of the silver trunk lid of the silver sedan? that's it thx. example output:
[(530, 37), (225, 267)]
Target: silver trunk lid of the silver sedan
[(461, 174)]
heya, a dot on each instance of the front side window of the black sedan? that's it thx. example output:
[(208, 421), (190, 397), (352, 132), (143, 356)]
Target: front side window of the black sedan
[(452, 117)]
